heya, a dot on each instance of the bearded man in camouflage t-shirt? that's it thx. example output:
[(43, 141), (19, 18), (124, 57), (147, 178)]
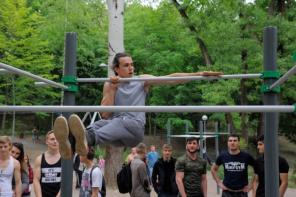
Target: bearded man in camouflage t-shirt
[(191, 171)]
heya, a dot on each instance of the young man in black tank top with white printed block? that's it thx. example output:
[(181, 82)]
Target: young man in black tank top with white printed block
[(47, 169)]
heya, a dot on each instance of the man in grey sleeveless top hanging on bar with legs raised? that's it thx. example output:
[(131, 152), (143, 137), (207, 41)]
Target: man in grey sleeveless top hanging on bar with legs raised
[(118, 128)]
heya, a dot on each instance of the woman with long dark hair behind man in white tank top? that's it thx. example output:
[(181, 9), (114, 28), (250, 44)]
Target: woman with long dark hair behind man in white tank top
[(18, 153)]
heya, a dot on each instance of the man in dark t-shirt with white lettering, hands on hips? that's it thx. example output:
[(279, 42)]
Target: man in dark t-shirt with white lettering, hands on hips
[(235, 163)]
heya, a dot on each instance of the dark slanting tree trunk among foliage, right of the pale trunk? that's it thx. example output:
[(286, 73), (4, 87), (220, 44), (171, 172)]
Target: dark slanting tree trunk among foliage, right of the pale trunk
[(202, 46)]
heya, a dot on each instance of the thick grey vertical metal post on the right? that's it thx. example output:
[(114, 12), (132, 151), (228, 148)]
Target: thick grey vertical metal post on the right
[(271, 120)]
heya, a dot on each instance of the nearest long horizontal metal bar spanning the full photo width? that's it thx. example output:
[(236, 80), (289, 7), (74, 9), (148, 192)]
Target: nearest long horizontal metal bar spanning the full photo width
[(175, 109)]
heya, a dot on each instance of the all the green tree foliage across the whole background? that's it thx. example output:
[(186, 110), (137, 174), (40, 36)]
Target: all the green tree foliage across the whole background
[(160, 40)]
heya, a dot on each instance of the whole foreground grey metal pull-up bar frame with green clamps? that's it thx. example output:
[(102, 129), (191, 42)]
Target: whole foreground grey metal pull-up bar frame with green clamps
[(269, 89)]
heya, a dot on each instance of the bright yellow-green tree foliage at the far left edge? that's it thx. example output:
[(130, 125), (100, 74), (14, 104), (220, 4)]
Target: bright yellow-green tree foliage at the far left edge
[(22, 47)]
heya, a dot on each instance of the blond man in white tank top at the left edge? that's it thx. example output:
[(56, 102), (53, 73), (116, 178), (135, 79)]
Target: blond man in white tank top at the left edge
[(9, 168)]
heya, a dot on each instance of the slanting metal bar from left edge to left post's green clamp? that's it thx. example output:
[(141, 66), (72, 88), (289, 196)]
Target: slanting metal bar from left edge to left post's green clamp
[(28, 74)]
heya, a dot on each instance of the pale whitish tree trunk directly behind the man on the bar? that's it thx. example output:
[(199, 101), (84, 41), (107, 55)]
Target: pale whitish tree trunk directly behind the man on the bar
[(115, 44)]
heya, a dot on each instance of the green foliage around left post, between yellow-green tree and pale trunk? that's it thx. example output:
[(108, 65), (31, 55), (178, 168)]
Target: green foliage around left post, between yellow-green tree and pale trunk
[(89, 20)]
